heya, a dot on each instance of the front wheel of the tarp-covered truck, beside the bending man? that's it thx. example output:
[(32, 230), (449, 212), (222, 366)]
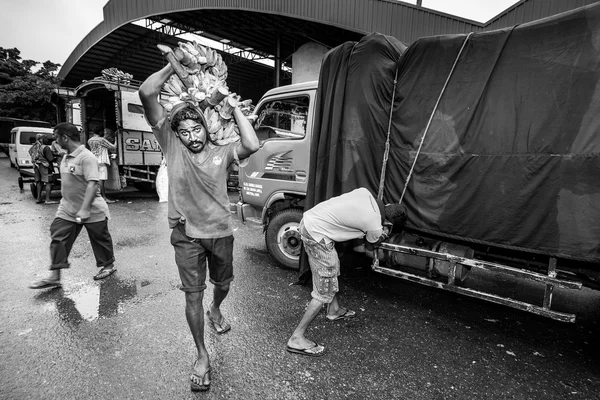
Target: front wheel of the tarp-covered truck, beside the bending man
[(283, 239)]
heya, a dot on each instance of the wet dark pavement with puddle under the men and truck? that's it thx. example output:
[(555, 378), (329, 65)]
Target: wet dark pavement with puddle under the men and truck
[(126, 337)]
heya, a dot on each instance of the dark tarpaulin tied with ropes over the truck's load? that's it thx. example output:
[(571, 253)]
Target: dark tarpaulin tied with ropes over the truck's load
[(511, 158)]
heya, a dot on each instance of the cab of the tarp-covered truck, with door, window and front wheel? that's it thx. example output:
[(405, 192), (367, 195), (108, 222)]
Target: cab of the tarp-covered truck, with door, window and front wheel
[(273, 180)]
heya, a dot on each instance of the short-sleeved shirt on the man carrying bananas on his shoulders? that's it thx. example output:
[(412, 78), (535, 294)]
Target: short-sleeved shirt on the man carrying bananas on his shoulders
[(197, 184)]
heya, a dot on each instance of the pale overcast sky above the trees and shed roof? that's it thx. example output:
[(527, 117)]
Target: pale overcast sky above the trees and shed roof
[(51, 29)]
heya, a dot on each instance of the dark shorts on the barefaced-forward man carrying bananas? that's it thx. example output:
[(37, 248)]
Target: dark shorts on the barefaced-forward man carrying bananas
[(191, 255)]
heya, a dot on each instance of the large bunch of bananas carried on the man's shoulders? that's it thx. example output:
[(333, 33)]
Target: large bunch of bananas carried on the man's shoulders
[(200, 80)]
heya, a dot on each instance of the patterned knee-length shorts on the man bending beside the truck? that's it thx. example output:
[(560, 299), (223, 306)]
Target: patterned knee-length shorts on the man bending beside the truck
[(324, 265)]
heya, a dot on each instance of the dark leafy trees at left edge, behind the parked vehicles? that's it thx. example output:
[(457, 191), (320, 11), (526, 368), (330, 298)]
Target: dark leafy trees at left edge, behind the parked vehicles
[(23, 92)]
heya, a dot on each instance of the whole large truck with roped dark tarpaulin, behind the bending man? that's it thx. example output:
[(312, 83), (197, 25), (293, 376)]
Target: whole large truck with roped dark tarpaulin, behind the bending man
[(489, 139)]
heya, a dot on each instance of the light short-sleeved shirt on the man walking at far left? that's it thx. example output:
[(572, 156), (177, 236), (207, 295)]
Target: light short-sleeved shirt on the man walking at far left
[(76, 170)]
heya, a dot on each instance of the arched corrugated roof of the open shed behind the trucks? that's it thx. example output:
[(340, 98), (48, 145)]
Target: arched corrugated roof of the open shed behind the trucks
[(264, 26)]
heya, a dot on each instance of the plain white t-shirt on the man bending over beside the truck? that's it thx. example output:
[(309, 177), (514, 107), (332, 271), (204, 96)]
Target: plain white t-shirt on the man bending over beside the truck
[(349, 216)]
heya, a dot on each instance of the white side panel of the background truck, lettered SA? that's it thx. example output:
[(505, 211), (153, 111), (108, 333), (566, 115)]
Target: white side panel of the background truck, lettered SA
[(139, 145)]
